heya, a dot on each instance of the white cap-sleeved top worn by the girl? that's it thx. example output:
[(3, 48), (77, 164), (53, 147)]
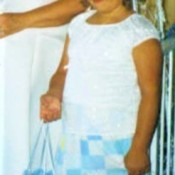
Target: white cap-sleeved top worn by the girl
[(101, 93)]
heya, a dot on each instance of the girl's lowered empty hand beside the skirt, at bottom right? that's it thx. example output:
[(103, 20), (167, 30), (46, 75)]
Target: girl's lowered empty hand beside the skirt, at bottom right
[(137, 162)]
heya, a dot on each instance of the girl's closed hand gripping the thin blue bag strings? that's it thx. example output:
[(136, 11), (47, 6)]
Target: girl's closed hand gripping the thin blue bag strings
[(50, 108)]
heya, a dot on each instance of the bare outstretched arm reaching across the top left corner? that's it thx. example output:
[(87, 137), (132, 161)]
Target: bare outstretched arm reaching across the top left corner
[(54, 14)]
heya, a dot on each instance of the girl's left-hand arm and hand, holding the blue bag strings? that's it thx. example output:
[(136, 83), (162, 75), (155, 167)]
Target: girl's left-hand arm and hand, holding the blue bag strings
[(50, 105)]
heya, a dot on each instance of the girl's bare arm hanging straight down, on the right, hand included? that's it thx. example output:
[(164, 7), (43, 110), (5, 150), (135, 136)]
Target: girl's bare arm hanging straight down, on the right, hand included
[(148, 63)]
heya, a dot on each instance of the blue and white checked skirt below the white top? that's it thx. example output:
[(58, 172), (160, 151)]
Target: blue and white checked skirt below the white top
[(91, 155)]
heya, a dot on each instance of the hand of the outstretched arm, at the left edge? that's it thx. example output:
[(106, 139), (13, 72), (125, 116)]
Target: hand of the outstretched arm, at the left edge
[(10, 23)]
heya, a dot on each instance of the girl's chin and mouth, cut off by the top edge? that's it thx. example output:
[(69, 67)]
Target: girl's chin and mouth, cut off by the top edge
[(105, 5)]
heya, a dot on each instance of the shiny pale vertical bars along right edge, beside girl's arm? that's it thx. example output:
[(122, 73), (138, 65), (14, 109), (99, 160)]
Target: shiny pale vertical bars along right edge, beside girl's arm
[(165, 157)]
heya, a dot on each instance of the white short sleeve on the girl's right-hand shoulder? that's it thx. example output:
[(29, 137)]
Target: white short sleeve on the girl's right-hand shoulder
[(143, 30)]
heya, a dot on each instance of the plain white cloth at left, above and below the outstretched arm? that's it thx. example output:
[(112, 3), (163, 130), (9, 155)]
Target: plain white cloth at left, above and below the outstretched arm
[(28, 59)]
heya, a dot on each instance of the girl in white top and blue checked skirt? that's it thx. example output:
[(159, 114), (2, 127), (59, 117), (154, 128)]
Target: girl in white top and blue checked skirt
[(108, 98)]
